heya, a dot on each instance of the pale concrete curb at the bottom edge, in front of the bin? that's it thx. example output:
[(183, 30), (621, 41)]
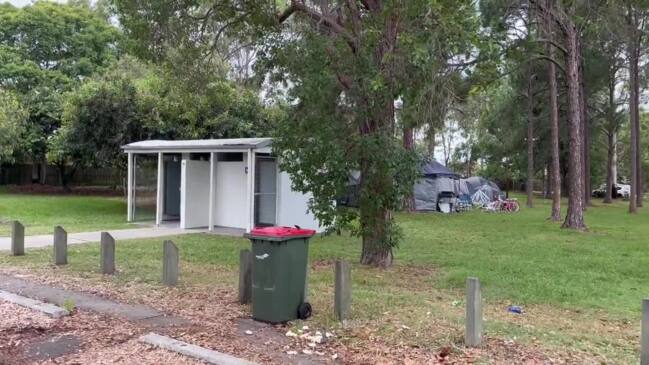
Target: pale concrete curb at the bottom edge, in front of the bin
[(197, 352)]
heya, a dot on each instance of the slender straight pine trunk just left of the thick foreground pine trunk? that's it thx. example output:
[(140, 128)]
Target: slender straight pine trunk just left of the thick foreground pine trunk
[(555, 163)]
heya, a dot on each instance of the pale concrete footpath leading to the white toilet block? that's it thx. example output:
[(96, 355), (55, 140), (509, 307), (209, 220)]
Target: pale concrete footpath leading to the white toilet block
[(46, 240)]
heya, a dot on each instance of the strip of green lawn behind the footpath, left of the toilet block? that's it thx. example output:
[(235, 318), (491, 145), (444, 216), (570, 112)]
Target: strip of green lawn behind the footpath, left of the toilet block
[(40, 213)]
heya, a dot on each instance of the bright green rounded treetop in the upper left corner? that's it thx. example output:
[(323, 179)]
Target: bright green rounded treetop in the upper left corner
[(62, 41)]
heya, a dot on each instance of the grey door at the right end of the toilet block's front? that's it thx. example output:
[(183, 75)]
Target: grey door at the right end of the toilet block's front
[(265, 191)]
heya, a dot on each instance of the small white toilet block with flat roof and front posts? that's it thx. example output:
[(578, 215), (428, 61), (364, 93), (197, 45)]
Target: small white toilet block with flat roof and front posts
[(222, 183)]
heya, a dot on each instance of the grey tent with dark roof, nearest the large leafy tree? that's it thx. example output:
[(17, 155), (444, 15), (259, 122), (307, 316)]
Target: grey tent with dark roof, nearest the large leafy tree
[(436, 182)]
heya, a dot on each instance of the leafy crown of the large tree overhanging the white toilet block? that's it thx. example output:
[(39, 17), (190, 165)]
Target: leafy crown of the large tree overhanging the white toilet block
[(339, 84)]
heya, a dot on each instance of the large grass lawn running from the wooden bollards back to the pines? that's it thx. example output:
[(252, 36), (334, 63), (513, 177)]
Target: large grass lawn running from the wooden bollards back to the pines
[(580, 290)]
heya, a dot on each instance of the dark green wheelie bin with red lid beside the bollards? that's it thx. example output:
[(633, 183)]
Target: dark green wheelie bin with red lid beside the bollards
[(279, 270)]
